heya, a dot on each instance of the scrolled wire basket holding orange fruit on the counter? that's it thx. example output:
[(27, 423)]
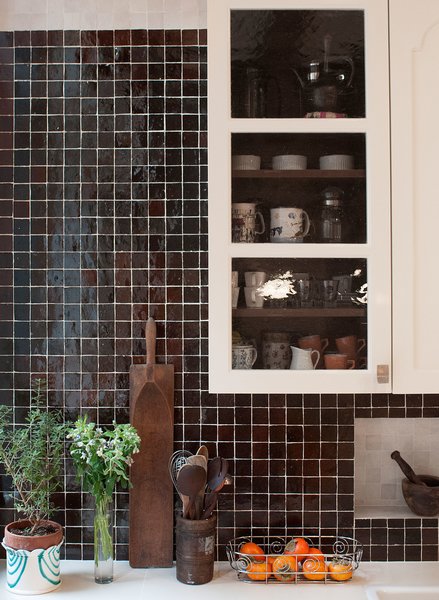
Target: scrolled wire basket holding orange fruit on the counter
[(329, 560)]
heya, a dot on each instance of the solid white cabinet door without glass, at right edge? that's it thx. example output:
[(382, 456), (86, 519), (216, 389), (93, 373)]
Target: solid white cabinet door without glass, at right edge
[(414, 37)]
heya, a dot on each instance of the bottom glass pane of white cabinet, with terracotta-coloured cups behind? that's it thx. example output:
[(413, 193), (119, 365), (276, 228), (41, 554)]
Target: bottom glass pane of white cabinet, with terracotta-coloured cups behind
[(283, 310)]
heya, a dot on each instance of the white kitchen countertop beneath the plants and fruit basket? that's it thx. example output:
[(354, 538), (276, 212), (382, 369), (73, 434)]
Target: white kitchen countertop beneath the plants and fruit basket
[(78, 584)]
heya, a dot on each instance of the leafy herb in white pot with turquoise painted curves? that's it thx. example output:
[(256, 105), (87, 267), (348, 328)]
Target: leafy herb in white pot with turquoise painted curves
[(32, 455)]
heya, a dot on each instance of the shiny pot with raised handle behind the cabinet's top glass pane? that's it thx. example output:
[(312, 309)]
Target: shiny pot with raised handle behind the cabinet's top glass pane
[(325, 82)]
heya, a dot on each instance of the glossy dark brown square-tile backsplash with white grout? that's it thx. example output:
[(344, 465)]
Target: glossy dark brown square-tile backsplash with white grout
[(103, 206)]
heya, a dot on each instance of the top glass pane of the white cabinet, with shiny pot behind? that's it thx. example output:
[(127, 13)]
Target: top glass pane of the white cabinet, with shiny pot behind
[(297, 63)]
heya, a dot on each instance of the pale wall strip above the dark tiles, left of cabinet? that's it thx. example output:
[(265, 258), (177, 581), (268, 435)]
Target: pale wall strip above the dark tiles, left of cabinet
[(102, 14)]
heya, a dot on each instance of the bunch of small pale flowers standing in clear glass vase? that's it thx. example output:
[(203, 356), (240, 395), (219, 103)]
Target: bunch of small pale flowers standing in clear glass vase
[(102, 458)]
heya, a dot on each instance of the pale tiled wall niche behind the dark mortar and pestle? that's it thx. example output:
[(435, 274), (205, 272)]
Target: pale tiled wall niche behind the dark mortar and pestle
[(377, 477)]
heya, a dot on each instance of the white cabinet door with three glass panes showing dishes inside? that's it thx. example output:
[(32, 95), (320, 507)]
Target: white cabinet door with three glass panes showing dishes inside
[(258, 106)]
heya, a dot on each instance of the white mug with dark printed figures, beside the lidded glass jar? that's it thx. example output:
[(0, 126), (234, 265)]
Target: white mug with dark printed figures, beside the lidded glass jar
[(288, 224)]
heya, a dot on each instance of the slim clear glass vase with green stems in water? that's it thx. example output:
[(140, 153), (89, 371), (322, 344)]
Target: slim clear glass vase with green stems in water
[(103, 540)]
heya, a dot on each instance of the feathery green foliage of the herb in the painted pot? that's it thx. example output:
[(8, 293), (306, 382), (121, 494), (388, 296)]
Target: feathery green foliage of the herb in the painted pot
[(32, 455)]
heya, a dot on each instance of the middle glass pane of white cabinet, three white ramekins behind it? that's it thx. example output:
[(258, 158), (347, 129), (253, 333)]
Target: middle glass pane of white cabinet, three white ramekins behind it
[(298, 188)]
